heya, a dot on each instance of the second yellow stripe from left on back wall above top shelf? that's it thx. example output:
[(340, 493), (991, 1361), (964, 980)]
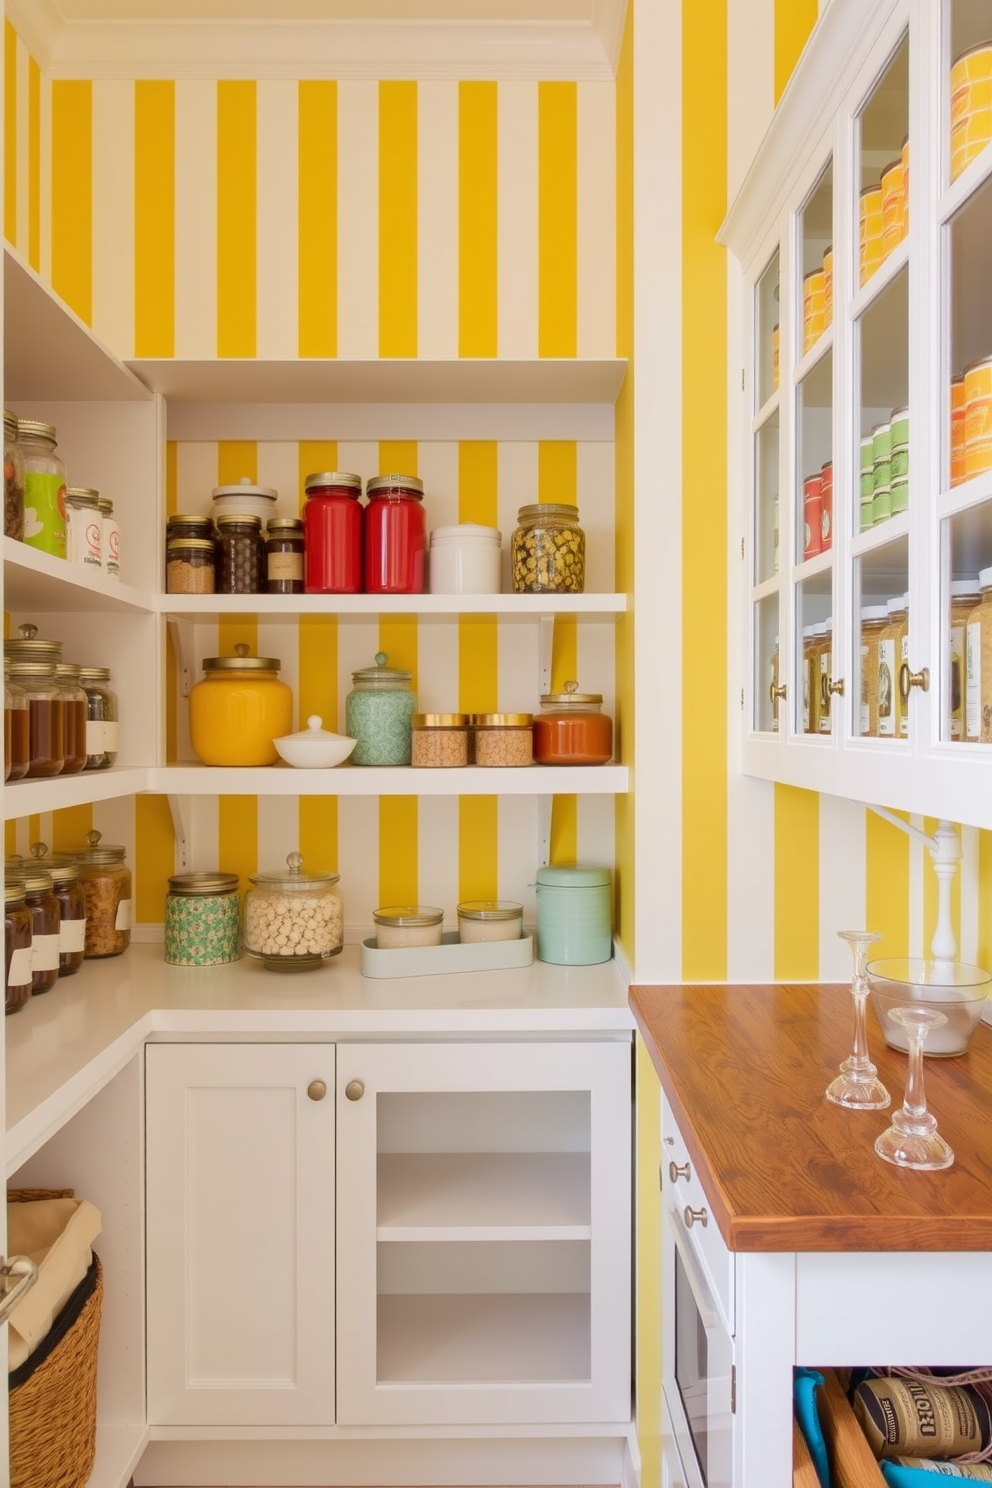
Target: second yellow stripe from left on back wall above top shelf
[(154, 219)]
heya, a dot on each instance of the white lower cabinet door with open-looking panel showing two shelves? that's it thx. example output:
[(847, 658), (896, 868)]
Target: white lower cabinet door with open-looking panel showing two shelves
[(484, 1246)]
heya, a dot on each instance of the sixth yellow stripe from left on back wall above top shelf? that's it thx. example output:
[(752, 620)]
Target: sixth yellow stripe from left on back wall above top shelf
[(478, 239)]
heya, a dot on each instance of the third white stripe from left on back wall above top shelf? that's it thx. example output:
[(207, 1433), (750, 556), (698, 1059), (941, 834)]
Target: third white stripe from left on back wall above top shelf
[(277, 263)]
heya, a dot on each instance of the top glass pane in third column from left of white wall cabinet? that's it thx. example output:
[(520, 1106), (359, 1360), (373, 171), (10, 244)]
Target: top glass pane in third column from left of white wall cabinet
[(884, 163)]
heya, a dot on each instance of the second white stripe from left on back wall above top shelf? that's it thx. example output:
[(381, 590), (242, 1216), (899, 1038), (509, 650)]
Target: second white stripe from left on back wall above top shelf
[(196, 219)]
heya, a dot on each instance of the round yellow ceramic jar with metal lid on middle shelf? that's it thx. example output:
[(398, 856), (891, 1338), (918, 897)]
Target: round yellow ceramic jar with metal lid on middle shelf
[(239, 709)]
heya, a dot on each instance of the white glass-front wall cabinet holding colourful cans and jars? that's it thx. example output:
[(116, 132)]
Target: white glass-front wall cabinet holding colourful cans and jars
[(865, 489)]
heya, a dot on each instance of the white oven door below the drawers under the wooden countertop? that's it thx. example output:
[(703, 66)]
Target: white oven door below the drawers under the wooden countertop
[(697, 1362)]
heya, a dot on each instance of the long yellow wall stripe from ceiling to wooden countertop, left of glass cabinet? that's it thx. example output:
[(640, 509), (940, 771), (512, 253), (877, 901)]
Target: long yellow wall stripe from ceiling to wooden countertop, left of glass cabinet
[(704, 496)]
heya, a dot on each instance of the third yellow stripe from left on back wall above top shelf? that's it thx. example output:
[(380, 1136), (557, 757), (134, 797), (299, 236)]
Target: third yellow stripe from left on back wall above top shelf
[(237, 219)]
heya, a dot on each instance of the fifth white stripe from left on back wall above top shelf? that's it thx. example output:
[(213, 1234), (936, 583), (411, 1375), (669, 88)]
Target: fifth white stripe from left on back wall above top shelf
[(438, 219)]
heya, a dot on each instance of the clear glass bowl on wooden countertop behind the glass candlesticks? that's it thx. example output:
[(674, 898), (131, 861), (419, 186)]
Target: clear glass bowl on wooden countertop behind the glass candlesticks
[(953, 989)]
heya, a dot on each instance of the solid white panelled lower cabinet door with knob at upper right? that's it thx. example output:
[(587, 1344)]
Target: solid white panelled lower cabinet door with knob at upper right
[(240, 1234)]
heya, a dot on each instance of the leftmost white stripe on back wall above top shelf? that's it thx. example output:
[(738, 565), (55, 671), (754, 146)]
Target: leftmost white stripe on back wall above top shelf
[(114, 215)]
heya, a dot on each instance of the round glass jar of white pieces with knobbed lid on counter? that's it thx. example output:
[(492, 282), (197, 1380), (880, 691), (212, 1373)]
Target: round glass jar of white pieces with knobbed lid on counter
[(294, 920)]
